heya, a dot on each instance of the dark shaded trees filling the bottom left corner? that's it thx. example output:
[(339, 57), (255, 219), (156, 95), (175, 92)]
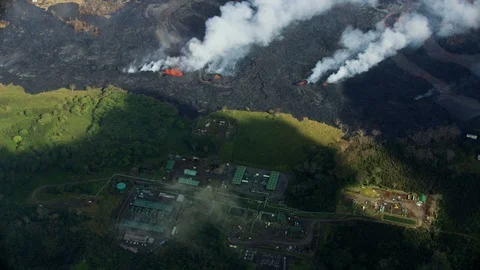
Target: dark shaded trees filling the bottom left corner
[(39, 238)]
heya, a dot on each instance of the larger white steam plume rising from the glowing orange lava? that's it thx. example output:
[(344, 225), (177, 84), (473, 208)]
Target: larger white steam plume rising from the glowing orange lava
[(229, 36)]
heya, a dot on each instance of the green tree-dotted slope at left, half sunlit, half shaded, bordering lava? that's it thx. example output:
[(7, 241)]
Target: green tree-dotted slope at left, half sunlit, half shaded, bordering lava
[(76, 132)]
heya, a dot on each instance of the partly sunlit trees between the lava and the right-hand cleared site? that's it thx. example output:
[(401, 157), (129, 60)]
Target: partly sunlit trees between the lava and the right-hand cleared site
[(430, 161)]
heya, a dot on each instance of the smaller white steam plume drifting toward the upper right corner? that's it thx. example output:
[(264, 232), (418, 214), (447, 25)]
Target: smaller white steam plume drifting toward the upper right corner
[(443, 17)]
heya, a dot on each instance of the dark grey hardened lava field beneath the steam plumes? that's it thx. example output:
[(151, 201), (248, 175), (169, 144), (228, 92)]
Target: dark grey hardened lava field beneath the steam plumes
[(40, 52)]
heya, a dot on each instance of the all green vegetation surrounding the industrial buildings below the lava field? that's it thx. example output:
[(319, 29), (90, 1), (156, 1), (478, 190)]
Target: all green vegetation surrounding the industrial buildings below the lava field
[(65, 136)]
